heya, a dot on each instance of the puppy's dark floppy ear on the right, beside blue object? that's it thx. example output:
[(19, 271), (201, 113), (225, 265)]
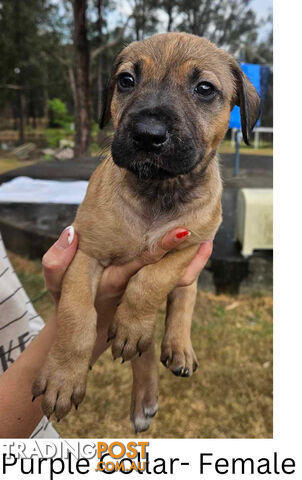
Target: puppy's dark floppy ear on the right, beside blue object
[(247, 98)]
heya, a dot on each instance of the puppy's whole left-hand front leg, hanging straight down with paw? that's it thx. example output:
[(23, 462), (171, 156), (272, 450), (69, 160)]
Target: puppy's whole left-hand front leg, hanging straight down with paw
[(62, 379)]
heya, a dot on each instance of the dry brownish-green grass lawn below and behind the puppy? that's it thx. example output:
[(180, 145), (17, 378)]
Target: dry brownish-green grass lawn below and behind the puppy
[(229, 396)]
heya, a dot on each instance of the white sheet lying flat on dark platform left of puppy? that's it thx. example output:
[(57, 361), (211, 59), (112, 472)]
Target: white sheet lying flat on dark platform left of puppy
[(29, 190)]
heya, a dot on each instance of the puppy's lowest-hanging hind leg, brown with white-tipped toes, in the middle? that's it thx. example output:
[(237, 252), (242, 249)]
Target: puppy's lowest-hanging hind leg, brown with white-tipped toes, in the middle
[(144, 400)]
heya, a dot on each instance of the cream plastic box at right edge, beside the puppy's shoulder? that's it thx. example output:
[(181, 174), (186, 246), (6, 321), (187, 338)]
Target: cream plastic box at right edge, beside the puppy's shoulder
[(254, 226)]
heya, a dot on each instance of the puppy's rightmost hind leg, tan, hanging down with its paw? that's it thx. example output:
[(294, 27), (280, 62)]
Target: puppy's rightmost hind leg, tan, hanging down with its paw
[(177, 352)]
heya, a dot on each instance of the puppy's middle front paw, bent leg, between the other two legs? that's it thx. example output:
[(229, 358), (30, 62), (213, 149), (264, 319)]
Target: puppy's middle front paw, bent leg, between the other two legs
[(130, 334)]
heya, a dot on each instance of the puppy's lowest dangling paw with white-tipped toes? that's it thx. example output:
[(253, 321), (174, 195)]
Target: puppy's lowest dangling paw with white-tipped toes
[(144, 406)]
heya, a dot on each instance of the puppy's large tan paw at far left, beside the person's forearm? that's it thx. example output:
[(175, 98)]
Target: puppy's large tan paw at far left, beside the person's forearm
[(62, 385)]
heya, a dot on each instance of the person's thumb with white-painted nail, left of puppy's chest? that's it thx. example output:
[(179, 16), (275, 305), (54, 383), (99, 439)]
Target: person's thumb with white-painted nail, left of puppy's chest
[(57, 259)]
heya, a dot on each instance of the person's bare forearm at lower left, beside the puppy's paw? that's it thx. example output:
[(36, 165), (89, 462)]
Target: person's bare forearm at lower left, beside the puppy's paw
[(18, 414)]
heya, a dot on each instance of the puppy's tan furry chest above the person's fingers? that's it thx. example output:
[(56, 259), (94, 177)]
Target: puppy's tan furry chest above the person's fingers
[(117, 232)]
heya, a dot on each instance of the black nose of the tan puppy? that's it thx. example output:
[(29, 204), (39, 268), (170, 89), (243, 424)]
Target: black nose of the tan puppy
[(150, 132)]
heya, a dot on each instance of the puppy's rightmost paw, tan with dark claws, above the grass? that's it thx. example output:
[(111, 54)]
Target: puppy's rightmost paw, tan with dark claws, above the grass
[(179, 358)]
